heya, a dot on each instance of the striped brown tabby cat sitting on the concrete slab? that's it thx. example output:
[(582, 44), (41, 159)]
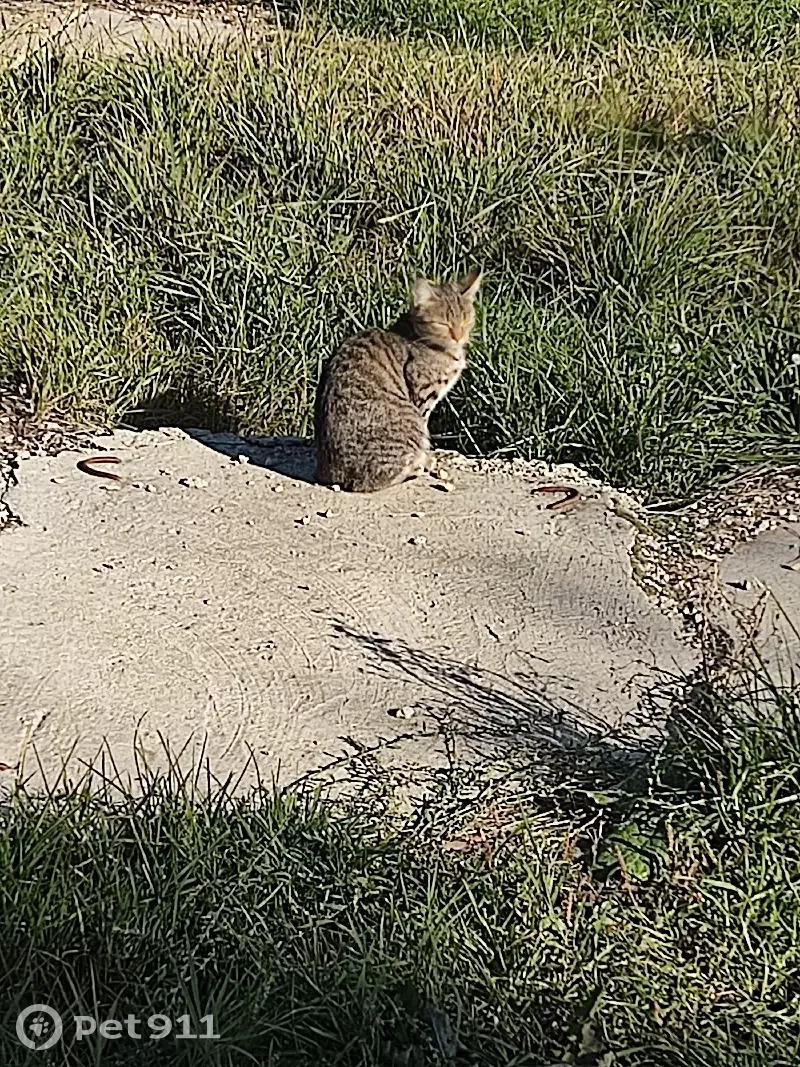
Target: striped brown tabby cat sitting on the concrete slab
[(378, 391)]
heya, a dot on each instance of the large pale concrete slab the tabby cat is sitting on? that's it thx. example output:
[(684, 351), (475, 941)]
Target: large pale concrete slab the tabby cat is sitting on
[(237, 607)]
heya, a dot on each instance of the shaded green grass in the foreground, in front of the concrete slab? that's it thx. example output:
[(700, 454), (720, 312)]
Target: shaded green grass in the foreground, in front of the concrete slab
[(660, 922)]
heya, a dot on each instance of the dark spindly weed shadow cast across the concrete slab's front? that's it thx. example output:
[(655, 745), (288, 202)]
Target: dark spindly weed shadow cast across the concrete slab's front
[(518, 719)]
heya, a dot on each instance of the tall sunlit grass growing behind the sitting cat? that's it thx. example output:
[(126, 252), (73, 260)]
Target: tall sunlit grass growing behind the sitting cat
[(191, 234)]
